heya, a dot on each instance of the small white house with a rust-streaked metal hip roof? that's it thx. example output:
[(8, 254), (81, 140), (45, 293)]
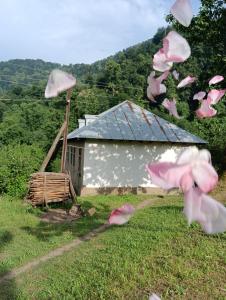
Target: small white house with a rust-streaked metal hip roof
[(108, 153)]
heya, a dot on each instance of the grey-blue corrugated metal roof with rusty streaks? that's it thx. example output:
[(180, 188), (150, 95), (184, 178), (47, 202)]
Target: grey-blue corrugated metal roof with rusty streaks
[(129, 122)]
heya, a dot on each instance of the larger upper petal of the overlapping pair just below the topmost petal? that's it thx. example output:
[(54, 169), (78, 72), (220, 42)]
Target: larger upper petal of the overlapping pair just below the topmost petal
[(175, 47)]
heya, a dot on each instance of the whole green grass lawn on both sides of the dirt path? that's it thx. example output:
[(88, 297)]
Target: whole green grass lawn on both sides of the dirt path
[(154, 252)]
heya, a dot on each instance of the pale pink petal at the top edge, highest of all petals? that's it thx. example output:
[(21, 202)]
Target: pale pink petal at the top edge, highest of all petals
[(182, 11)]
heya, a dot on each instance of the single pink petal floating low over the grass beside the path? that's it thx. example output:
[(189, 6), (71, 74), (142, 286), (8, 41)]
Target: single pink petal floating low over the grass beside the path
[(121, 215)]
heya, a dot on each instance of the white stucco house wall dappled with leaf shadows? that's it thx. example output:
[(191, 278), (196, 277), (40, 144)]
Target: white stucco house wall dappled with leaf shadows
[(122, 164)]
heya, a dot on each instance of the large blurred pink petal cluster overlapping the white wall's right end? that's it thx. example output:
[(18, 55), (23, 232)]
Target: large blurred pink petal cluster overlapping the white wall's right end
[(192, 166)]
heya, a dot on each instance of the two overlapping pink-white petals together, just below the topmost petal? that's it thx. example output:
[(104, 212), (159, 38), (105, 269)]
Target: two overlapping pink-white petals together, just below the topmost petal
[(175, 49)]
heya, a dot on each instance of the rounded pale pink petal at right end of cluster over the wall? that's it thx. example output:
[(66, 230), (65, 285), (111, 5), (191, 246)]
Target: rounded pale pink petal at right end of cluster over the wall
[(204, 175)]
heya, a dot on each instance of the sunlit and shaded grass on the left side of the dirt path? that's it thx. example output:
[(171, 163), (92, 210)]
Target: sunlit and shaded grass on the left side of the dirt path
[(23, 237)]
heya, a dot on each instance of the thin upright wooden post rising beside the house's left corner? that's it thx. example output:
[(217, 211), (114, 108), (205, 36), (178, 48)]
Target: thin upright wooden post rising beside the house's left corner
[(64, 149)]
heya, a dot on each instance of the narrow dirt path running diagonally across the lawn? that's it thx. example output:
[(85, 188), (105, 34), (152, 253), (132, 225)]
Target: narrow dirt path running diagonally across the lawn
[(59, 251)]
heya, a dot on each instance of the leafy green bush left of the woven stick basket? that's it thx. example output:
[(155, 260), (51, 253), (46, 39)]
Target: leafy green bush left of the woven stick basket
[(17, 163)]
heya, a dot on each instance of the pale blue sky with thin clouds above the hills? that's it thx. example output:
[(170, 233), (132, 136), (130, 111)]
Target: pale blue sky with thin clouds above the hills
[(77, 31)]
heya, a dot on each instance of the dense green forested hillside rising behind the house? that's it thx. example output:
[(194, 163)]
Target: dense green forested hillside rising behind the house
[(27, 119)]
